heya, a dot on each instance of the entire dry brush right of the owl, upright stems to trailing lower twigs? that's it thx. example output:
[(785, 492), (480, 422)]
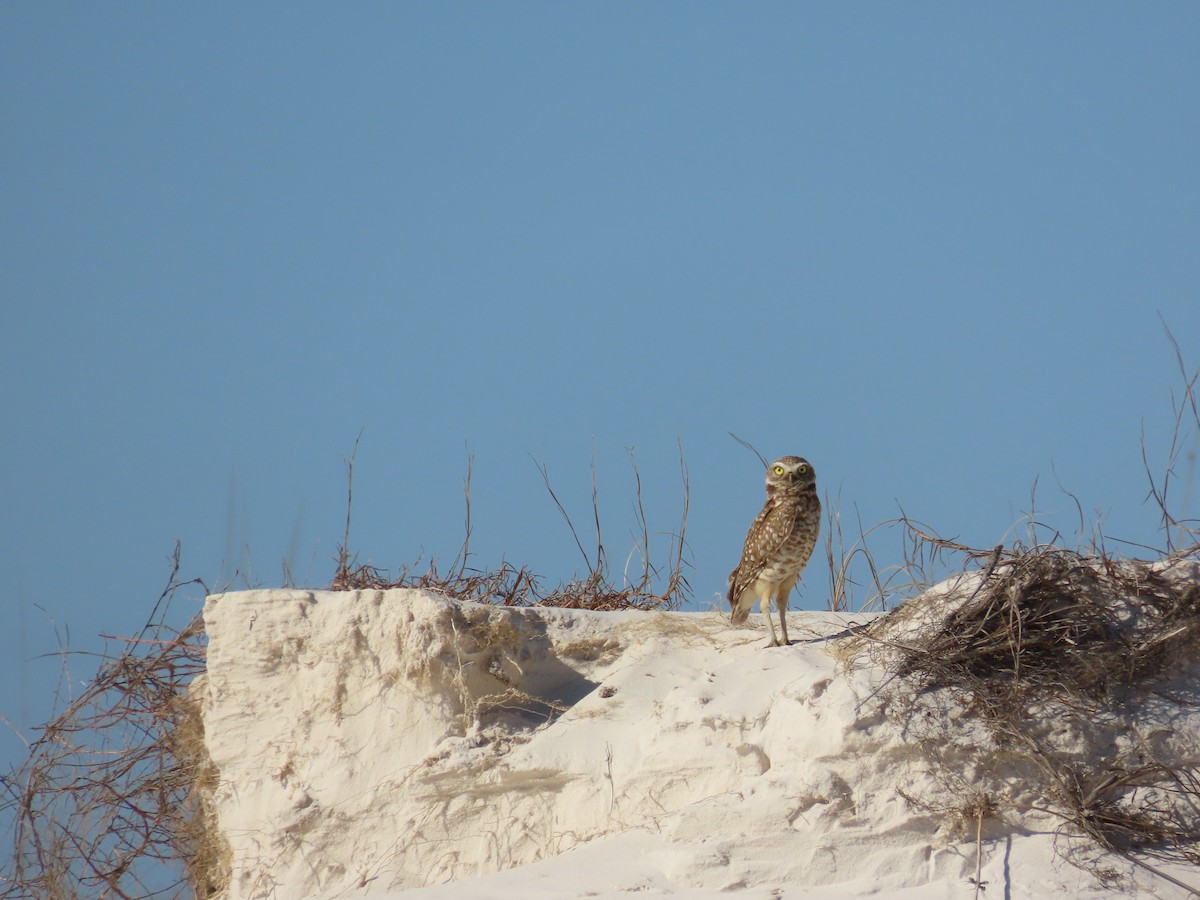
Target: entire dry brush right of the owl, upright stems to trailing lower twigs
[(1058, 682)]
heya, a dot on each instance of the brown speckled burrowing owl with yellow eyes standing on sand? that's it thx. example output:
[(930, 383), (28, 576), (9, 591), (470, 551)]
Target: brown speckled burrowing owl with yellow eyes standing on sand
[(779, 544)]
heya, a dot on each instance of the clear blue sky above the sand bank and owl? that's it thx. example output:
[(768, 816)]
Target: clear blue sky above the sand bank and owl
[(926, 245)]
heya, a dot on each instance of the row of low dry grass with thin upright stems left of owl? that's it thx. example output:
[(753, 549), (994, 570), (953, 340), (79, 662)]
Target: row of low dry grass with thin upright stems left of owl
[(651, 587)]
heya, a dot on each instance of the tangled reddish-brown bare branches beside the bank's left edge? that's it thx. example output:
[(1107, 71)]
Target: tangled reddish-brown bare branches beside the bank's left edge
[(110, 800)]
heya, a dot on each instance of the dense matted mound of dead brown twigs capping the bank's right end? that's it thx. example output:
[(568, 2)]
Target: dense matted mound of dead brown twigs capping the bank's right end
[(1051, 622)]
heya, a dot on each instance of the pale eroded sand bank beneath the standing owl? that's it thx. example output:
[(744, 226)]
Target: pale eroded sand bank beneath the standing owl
[(397, 741)]
